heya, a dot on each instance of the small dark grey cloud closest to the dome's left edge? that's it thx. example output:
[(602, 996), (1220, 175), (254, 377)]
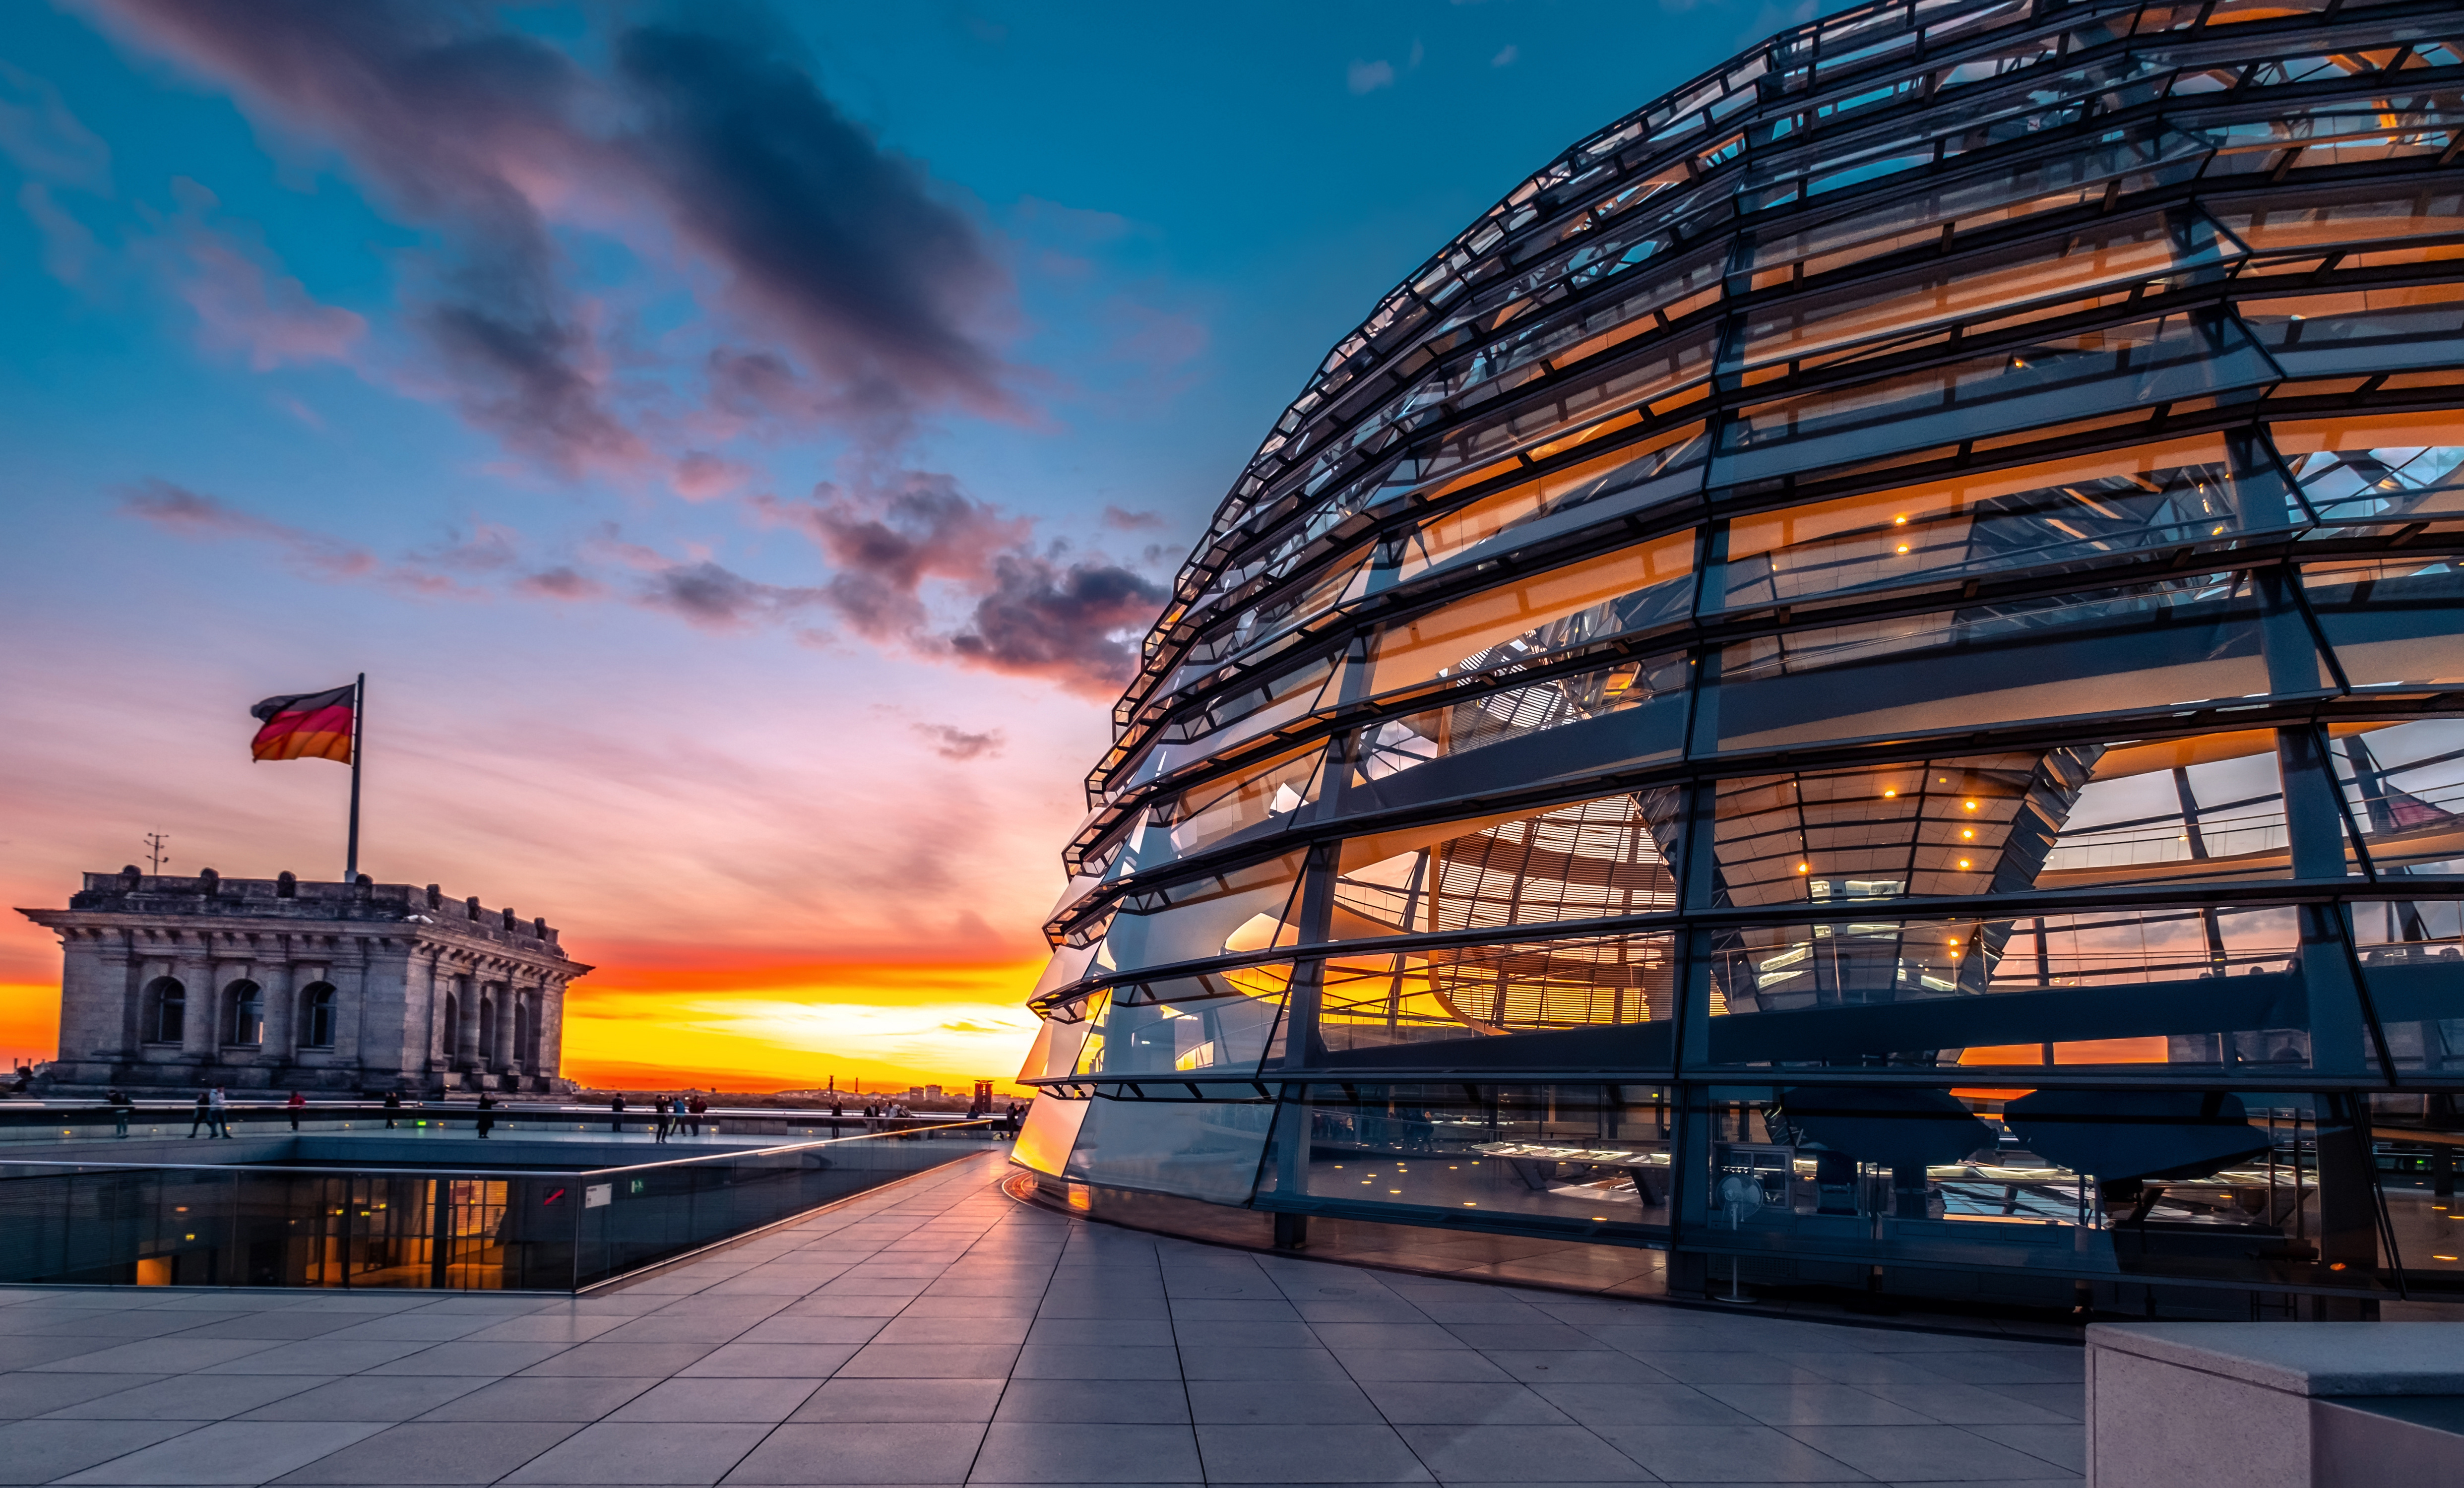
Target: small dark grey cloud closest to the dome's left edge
[(1076, 627)]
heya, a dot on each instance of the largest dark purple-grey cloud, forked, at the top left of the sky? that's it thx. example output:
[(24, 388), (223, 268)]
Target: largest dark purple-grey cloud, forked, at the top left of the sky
[(716, 142)]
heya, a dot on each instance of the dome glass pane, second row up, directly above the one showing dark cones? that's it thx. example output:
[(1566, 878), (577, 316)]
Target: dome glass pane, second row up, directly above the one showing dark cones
[(2207, 989)]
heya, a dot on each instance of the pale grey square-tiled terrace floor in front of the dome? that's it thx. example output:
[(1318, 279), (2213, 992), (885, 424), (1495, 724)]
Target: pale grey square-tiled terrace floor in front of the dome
[(940, 1334)]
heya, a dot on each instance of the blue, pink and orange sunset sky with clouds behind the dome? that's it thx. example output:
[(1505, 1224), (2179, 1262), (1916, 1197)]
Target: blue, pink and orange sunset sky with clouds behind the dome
[(740, 447)]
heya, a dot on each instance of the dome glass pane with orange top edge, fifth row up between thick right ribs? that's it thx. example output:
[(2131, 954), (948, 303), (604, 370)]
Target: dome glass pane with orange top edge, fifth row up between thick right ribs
[(2076, 511)]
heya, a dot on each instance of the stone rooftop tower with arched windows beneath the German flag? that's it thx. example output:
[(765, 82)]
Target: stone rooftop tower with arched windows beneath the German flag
[(282, 984)]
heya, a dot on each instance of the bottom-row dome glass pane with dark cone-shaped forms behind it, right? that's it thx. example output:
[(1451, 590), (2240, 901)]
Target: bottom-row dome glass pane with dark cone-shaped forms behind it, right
[(1822, 1184)]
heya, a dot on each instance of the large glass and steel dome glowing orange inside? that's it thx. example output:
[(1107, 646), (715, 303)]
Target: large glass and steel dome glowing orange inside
[(1862, 681)]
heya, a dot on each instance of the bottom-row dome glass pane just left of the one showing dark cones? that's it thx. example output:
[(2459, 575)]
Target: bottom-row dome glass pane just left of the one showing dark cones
[(1581, 1154)]
